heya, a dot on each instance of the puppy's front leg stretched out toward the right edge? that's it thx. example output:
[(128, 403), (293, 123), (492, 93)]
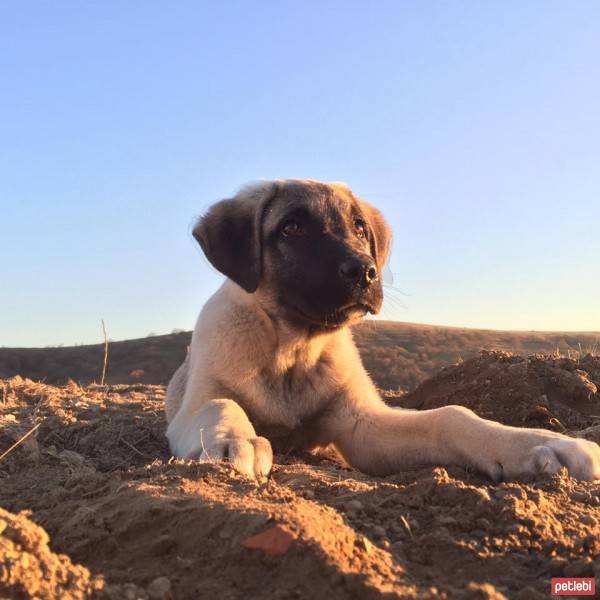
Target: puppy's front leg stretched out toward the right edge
[(381, 440)]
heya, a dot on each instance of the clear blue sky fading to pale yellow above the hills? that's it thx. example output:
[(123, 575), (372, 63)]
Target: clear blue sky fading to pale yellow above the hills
[(474, 126)]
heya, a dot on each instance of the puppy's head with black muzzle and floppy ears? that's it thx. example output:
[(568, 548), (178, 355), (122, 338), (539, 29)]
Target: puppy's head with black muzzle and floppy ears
[(314, 247)]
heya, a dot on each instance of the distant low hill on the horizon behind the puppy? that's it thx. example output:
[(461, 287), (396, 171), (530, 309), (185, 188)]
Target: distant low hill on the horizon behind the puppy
[(398, 355)]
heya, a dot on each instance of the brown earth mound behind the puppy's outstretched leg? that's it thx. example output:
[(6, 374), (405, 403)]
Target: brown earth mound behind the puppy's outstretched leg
[(555, 393)]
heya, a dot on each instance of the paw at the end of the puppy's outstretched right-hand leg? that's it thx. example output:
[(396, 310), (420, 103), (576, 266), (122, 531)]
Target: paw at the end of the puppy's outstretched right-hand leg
[(533, 452)]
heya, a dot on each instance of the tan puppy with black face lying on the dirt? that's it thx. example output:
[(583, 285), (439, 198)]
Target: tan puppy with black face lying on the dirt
[(272, 362)]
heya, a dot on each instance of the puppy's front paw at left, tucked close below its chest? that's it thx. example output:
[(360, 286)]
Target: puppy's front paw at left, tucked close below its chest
[(252, 457)]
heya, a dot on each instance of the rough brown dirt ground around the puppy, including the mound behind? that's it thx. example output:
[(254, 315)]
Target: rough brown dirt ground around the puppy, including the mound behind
[(94, 506)]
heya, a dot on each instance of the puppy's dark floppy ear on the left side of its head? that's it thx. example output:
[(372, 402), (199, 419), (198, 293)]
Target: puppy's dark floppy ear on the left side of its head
[(230, 234)]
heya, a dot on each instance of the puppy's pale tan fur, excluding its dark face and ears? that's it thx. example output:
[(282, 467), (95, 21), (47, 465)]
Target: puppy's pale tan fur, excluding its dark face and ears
[(249, 375)]
